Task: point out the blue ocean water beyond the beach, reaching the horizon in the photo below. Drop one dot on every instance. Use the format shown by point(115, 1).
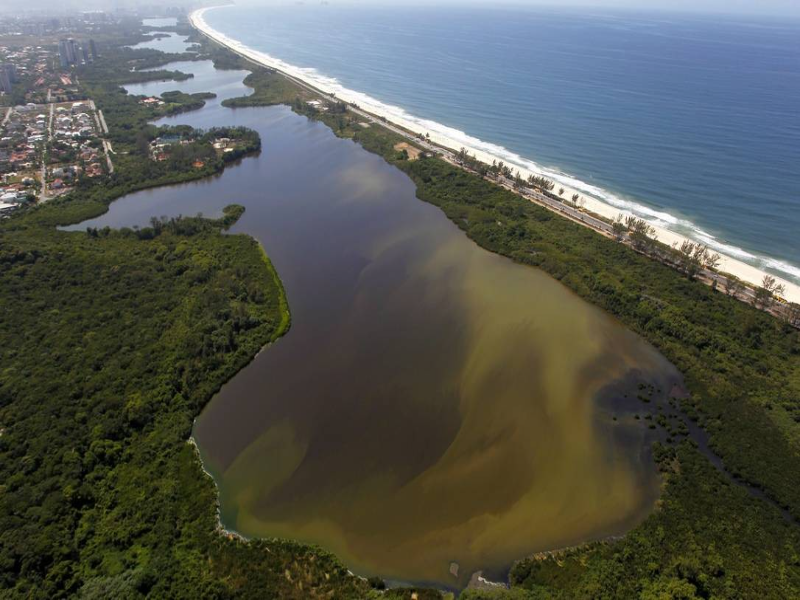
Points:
point(691, 121)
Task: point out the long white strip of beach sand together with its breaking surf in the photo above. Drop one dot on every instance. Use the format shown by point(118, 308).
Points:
point(609, 206)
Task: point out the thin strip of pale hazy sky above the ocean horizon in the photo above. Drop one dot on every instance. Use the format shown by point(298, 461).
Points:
point(755, 7)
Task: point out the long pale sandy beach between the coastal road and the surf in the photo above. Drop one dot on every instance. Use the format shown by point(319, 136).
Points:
point(481, 150)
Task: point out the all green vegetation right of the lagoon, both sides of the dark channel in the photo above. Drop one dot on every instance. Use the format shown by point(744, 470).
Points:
point(709, 537)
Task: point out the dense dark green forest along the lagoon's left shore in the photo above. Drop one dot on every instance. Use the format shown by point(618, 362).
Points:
point(112, 342)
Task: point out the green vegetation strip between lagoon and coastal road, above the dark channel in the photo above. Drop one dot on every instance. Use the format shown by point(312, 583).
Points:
point(740, 364)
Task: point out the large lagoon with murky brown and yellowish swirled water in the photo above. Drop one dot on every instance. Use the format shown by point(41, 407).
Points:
point(433, 403)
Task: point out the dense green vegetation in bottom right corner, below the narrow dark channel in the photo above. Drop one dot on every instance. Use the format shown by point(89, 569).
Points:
point(709, 539)
